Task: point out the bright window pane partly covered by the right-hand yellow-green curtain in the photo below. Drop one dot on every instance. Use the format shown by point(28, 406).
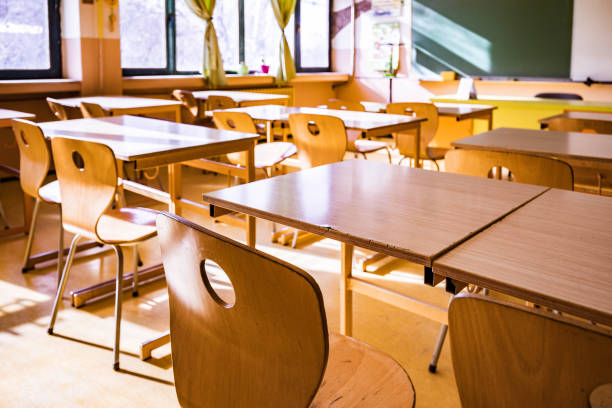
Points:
point(262, 35)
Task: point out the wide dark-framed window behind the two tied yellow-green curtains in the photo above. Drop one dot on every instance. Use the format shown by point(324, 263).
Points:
point(248, 34)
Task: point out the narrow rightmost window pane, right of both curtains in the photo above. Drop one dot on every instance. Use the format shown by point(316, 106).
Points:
point(314, 33)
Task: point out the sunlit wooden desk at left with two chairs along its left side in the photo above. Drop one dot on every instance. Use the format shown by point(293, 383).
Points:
point(144, 143)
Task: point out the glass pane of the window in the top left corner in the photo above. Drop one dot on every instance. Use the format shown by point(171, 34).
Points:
point(24, 34)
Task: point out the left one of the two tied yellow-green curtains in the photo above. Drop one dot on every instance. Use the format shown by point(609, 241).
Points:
point(212, 64)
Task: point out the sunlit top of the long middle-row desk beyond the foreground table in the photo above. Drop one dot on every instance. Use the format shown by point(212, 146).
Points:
point(365, 121)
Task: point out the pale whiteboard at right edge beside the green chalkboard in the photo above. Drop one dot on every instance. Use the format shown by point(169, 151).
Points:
point(592, 40)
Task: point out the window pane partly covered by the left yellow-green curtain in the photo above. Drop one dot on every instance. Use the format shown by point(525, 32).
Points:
point(190, 35)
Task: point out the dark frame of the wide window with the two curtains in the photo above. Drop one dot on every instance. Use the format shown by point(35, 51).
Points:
point(170, 68)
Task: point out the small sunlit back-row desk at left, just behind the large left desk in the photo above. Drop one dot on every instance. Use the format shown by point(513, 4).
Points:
point(128, 105)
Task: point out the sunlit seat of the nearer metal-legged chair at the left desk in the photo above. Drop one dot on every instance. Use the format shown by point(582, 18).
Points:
point(127, 225)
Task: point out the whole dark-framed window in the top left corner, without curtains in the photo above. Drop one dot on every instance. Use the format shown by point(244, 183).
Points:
point(30, 44)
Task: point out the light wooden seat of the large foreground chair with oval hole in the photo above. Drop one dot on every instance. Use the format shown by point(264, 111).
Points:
point(358, 375)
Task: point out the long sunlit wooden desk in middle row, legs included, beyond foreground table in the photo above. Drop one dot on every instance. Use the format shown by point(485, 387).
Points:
point(369, 124)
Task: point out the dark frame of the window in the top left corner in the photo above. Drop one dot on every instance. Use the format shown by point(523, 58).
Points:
point(55, 51)
